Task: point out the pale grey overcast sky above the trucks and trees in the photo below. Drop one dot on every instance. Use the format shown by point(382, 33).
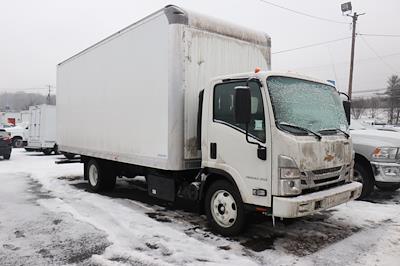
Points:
point(35, 35)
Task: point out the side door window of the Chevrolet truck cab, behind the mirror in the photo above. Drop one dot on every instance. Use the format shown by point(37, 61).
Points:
point(224, 109)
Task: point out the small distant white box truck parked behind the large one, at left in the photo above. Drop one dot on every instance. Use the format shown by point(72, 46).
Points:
point(42, 129)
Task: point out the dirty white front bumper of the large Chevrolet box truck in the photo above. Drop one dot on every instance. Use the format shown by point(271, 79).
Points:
point(292, 207)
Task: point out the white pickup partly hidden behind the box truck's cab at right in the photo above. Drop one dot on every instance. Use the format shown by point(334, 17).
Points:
point(377, 158)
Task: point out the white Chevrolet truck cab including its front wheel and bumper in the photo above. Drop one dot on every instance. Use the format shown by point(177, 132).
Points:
point(282, 142)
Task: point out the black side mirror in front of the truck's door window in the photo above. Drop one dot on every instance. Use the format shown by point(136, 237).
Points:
point(242, 105)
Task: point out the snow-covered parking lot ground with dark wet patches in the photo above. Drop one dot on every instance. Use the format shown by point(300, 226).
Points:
point(48, 216)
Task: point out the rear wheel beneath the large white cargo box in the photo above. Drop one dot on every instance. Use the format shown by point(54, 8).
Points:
point(100, 177)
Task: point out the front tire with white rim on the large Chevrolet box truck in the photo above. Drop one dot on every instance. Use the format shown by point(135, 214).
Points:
point(222, 197)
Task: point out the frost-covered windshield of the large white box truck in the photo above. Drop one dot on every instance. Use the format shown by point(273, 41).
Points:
point(307, 104)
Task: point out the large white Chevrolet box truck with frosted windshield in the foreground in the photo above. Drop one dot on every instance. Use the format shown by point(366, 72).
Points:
point(256, 141)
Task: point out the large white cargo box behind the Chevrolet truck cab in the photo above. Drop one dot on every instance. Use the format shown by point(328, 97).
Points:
point(133, 97)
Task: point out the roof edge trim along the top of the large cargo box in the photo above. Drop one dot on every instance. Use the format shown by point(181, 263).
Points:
point(177, 15)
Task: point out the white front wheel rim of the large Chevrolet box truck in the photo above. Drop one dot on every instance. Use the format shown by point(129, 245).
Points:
point(223, 208)
